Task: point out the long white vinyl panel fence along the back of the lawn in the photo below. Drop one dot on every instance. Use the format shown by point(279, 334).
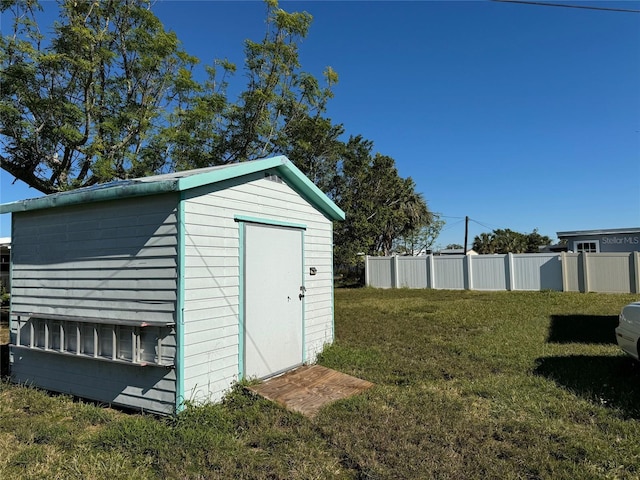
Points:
point(569, 272)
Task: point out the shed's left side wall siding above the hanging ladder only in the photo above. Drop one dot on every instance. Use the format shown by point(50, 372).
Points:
point(115, 260)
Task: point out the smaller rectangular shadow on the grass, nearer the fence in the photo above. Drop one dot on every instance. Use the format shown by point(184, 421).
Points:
point(583, 329)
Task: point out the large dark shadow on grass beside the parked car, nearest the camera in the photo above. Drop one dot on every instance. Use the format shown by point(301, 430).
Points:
point(612, 382)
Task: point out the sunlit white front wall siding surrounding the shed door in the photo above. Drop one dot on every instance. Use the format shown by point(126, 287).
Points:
point(212, 277)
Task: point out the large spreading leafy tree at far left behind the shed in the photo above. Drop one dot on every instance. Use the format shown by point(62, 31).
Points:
point(79, 108)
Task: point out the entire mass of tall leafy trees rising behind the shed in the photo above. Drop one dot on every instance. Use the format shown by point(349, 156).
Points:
point(112, 95)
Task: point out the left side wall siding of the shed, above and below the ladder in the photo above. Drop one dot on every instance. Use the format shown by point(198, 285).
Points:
point(114, 260)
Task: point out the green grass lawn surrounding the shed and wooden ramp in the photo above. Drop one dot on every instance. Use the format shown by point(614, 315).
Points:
point(491, 385)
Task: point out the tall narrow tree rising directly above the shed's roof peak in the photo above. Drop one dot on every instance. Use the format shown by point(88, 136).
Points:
point(280, 101)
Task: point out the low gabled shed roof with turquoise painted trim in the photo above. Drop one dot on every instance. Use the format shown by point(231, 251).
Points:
point(181, 181)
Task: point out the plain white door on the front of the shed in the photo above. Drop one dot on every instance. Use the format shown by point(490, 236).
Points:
point(273, 309)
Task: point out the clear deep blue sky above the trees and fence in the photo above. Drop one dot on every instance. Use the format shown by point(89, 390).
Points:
point(518, 116)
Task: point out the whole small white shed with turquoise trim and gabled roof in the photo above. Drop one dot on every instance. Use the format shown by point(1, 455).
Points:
point(151, 292)
